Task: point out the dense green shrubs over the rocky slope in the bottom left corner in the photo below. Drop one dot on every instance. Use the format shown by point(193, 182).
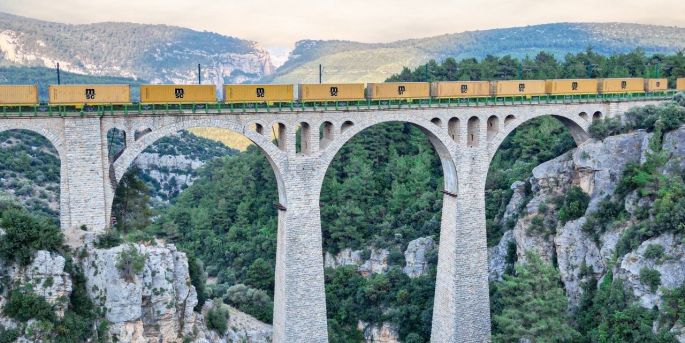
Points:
point(24, 235)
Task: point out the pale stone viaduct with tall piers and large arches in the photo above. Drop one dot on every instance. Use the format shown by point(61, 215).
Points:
point(466, 139)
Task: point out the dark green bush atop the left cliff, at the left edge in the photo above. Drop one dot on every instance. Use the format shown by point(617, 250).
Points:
point(25, 234)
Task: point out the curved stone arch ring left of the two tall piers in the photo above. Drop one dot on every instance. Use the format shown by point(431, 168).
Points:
point(272, 153)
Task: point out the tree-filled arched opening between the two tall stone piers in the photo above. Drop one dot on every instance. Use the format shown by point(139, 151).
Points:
point(381, 215)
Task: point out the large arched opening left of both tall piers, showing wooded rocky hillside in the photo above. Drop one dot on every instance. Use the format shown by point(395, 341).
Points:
point(227, 216)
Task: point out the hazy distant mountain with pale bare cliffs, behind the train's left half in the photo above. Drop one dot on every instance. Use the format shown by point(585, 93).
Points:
point(158, 53)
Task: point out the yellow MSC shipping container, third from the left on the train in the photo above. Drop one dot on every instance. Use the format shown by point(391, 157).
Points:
point(166, 94)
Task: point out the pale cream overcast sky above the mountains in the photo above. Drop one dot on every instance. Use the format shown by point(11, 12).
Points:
point(283, 22)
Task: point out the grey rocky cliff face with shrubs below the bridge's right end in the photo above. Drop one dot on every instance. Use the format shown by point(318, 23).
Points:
point(596, 168)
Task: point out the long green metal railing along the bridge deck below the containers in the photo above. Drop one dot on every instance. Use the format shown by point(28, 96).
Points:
point(261, 107)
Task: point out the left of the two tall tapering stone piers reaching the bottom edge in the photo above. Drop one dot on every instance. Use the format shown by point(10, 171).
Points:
point(299, 297)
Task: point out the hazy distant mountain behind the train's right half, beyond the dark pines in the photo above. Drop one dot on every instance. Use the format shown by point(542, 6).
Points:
point(345, 61)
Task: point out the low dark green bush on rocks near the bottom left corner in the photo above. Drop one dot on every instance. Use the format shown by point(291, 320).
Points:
point(23, 307)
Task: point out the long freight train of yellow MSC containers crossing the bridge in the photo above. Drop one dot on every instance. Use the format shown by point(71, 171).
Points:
point(244, 96)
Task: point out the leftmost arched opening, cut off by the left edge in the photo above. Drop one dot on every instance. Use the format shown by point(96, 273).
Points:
point(30, 174)
